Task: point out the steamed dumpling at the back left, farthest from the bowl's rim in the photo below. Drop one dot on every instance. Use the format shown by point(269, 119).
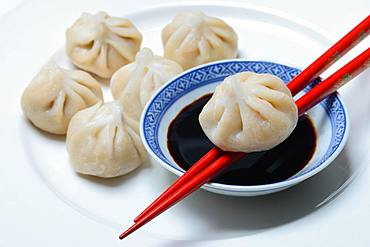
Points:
point(102, 44)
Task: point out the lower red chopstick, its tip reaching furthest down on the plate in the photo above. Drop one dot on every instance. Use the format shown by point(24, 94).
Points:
point(338, 79)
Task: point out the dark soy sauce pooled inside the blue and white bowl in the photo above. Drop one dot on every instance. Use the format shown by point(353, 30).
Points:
point(187, 144)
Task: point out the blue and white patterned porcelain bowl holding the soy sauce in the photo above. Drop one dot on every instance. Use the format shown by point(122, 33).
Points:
point(330, 118)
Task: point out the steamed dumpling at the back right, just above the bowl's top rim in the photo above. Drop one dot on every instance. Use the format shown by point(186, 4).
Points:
point(194, 38)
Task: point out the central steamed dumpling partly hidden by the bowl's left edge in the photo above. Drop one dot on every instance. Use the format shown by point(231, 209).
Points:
point(134, 84)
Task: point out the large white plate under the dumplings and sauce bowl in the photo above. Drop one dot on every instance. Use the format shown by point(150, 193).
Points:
point(36, 164)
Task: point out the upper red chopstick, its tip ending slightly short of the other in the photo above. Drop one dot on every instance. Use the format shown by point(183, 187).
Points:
point(295, 86)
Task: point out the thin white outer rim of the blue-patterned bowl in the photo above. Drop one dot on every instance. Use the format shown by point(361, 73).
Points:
point(245, 188)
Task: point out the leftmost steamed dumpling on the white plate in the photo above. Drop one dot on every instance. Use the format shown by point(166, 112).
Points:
point(56, 94)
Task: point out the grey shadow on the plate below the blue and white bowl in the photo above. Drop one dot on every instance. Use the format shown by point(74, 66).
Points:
point(248, 215)
